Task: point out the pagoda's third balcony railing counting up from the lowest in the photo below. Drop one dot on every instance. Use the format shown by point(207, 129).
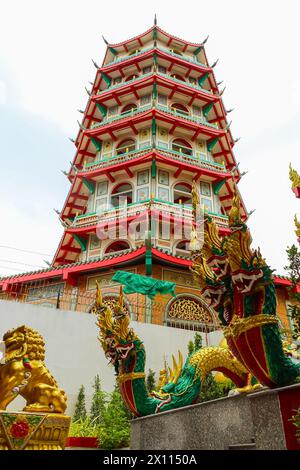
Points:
point(153, 105)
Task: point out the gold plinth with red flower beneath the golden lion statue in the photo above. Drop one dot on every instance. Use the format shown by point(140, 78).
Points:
point(33, 431)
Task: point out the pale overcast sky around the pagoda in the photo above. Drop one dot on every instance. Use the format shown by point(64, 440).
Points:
point(45, 63)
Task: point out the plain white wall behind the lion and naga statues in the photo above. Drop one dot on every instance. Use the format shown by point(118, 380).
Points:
point(73, 353)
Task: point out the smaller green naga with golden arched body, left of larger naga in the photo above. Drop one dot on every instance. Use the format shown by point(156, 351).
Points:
point(126, 352)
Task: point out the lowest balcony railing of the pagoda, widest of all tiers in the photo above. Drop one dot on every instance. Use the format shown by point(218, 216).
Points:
point(156, 206)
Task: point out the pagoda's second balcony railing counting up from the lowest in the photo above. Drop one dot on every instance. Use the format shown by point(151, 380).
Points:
point(170, 153)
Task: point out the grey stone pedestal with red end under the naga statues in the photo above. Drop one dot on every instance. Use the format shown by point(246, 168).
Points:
point(260, 420)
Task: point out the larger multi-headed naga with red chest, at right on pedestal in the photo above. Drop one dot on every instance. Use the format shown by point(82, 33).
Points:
point(236, 281)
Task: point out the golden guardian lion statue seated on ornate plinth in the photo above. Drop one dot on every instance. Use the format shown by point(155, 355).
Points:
point(23, 372)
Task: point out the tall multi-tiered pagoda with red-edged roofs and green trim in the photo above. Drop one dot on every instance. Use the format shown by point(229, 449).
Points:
point(154, 126)
